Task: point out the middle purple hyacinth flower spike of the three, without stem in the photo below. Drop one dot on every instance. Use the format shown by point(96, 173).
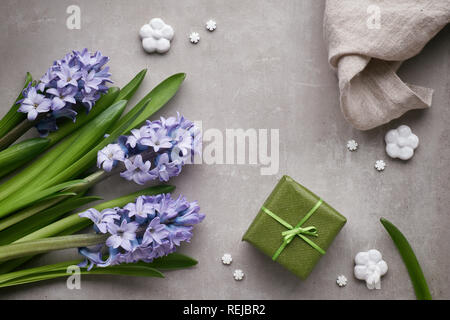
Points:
point(157, 150)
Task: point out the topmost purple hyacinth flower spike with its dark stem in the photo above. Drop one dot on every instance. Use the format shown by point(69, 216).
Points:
point(78, 79)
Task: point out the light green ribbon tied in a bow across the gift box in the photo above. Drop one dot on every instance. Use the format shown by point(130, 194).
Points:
point(290, 234)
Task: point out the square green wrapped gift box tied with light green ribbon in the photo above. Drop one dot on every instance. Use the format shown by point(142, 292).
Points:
point(294, 227)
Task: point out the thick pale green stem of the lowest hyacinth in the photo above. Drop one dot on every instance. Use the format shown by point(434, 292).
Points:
point(26, 248)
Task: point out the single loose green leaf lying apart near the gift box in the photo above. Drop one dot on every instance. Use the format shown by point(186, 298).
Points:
point(409, 258)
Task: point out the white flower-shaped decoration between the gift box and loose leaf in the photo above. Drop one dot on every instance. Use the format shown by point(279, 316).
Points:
point(370, 267)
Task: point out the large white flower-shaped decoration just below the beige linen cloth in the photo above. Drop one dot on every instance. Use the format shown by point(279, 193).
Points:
point(401, 143)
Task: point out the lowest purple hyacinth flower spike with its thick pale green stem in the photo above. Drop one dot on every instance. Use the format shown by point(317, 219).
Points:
point(149, 228)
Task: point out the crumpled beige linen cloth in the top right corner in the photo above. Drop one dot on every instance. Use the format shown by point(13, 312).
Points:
point(367, 52)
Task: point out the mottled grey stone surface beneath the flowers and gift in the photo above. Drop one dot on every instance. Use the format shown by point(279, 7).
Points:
point(264, 67)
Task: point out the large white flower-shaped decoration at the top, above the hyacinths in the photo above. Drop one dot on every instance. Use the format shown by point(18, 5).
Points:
point(156, 36)
